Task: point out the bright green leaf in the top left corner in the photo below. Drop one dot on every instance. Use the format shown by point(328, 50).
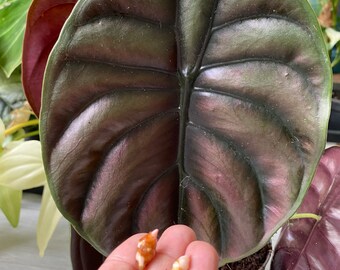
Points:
point(12, 26)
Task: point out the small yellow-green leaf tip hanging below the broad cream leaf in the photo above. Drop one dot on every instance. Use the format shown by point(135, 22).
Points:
point(10, 204)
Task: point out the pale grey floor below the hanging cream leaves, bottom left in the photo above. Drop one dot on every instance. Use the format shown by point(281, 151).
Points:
point(18, 247)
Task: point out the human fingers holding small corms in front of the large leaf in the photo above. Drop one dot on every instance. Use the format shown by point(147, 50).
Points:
point(176, 241)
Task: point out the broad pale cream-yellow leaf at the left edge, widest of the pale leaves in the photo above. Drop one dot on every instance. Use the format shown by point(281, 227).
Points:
point(21, 167)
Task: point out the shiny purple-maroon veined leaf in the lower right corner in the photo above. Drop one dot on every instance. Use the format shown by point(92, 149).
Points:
point(307, 243)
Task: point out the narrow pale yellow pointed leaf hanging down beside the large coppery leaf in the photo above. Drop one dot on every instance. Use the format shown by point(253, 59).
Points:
point(49, 216)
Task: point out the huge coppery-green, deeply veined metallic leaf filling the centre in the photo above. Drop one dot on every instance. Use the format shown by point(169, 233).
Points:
point(208, 113)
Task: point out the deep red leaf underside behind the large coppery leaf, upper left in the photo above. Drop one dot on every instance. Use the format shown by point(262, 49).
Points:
point(44, 21)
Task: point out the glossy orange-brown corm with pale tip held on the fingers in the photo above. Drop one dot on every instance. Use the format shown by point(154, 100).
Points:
point(146, 249)
